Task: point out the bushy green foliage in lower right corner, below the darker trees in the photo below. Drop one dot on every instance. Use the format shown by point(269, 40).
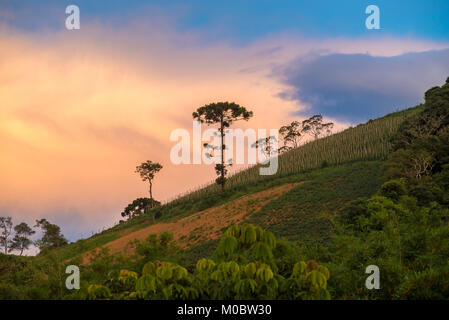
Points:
point(407, 242)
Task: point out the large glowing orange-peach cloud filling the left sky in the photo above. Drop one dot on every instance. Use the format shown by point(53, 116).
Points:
point(78, 114)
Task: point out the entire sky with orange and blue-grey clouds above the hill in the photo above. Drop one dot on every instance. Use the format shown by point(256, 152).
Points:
point(79, 109)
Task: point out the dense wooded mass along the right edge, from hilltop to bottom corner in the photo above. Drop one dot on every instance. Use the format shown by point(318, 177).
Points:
point(404, 229)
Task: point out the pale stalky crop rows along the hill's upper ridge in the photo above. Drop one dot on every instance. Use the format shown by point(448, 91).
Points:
point(369, 141)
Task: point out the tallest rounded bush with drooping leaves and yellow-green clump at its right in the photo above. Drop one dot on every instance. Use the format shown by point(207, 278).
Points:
point(249, 269)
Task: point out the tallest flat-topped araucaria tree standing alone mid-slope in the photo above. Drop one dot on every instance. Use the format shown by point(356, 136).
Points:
point(223, 114)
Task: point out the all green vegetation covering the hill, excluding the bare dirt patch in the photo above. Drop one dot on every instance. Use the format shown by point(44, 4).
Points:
point(378, 196)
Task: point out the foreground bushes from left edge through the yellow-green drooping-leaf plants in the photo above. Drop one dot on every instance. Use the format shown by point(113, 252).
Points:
point(248, 263)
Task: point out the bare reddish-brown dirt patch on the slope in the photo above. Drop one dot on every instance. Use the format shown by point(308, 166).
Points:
point(204, 225)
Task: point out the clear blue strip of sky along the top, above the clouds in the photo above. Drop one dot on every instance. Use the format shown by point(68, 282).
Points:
point(243, 21)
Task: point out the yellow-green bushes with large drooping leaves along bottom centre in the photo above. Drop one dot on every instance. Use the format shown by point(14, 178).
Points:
point(243, 267)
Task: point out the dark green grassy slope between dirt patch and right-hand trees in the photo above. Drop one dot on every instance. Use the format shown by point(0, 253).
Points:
point(298, 214)
